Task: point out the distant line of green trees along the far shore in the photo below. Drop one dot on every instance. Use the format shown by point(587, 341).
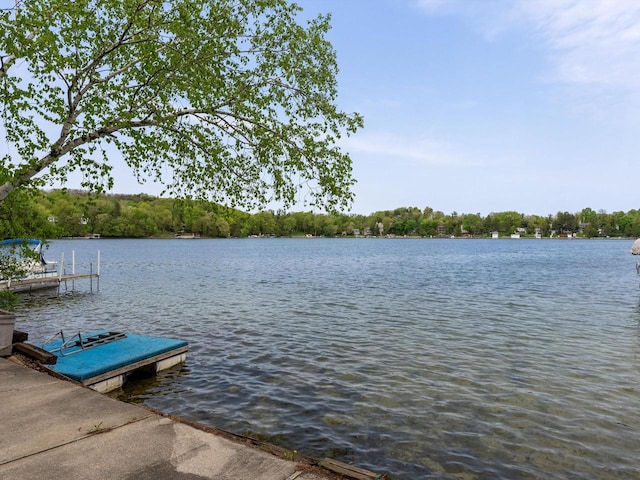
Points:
point(62, 213)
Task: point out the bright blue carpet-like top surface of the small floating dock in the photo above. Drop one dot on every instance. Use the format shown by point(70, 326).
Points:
point(111, 356)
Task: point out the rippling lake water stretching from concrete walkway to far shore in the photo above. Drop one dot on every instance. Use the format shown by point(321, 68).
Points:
point(421, 358)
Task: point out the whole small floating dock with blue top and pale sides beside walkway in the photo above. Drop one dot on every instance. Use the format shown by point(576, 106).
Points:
point(102, 360)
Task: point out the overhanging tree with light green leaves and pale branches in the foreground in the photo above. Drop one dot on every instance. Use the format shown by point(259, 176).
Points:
point(229, 100)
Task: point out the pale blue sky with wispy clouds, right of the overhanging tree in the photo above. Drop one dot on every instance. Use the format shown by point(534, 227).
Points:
point(490, 105)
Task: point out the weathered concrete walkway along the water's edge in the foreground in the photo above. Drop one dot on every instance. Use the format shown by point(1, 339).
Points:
point(54, 429)
